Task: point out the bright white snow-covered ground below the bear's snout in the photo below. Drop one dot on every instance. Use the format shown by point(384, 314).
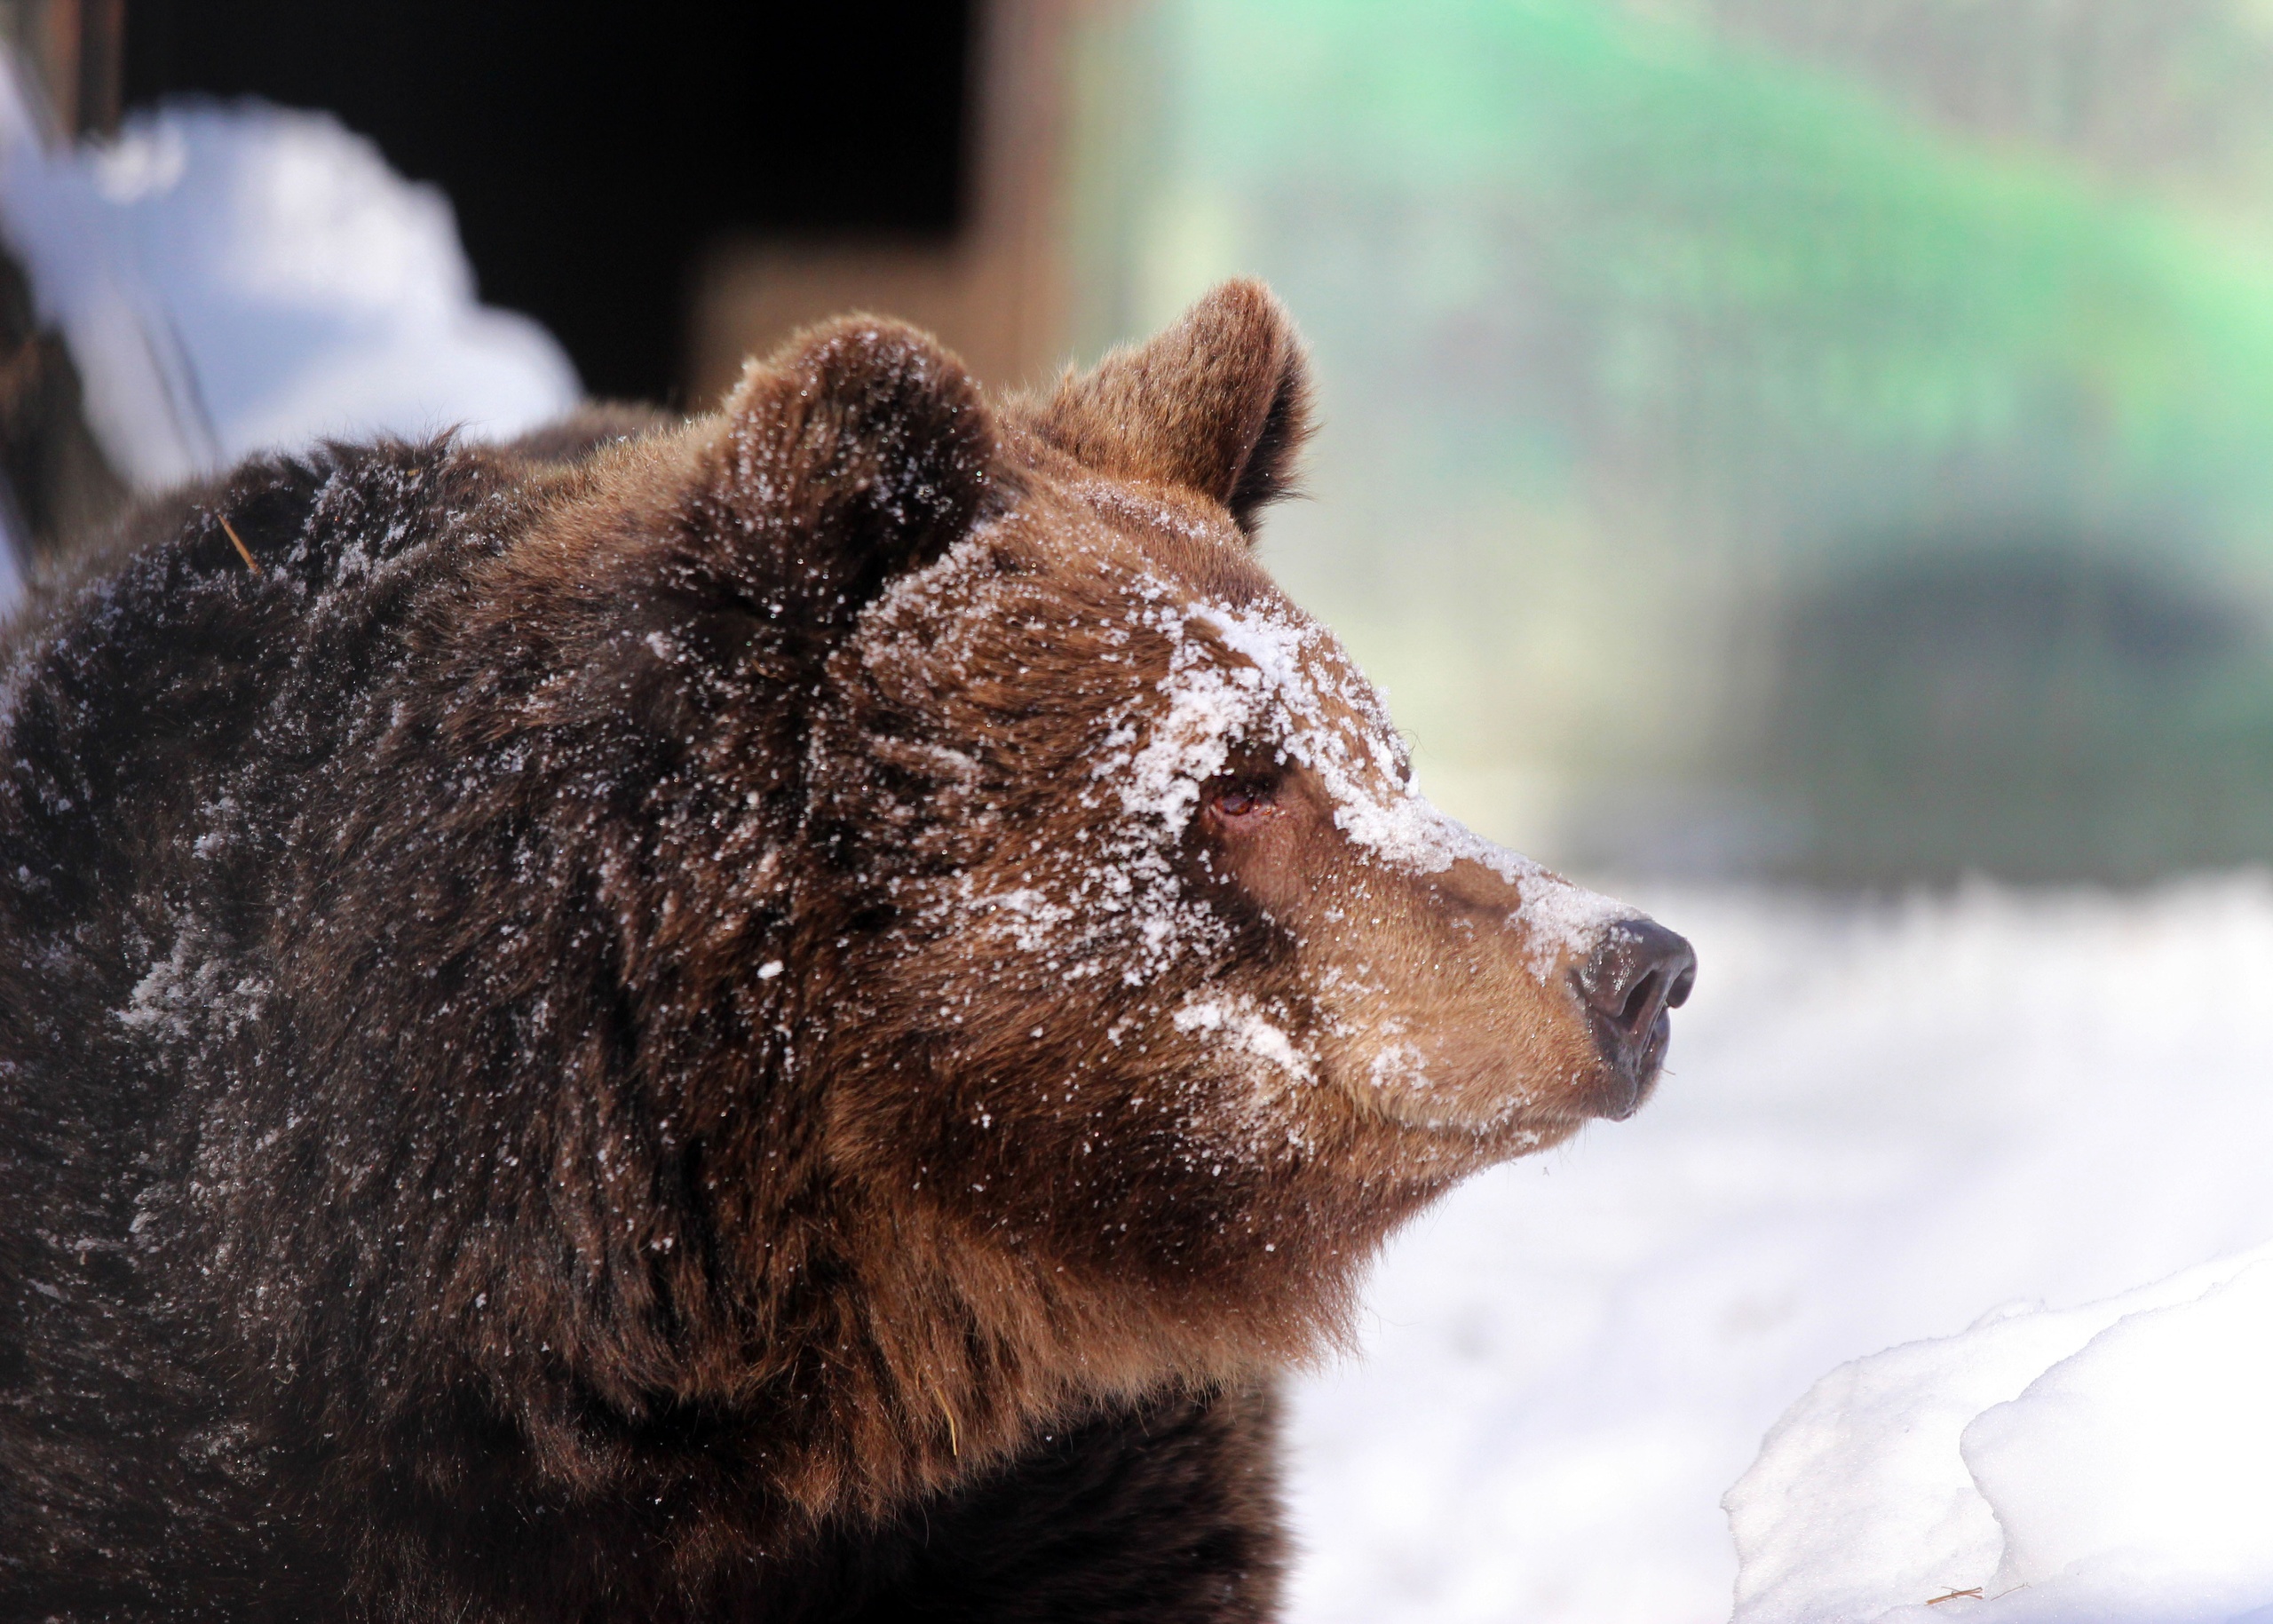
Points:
point(1881, 1127)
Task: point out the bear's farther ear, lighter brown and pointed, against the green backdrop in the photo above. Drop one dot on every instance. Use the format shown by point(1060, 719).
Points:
point(1217, 404)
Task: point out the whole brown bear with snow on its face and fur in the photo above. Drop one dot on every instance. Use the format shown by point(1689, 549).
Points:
point(772, 1018)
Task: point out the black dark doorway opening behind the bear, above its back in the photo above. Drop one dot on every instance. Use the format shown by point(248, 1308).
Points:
point(594, 149)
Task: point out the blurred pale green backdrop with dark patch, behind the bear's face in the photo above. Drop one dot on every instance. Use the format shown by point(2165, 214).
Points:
point(1763, 438)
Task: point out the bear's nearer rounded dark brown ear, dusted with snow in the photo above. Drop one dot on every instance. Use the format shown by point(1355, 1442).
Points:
point(858, 451)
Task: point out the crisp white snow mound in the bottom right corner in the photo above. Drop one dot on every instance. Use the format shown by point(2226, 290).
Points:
point(2095, 1464)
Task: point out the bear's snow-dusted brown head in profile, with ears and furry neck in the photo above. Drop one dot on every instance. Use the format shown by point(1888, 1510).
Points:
point(1031, 934)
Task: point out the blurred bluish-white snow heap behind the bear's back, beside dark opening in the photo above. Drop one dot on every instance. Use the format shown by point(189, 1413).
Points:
point(247, 279)
